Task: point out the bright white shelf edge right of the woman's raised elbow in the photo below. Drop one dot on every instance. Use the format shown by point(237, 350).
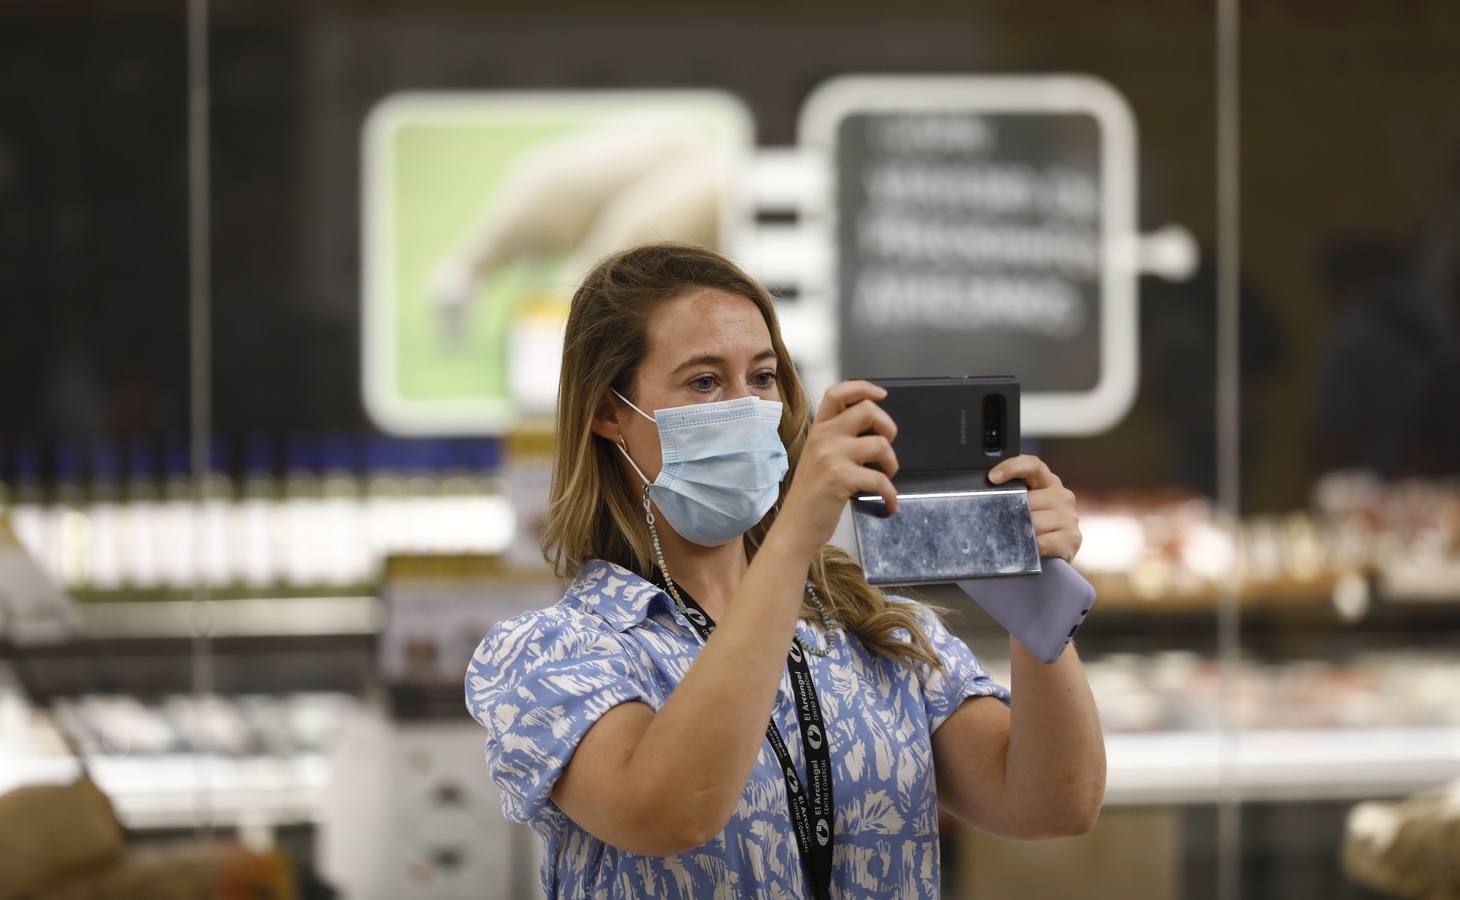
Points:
point(1271, 766)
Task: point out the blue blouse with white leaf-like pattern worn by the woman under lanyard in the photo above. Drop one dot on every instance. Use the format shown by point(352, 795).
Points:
point(542, 679)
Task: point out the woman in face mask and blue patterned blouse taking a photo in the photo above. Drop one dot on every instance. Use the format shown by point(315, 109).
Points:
point(693, 500)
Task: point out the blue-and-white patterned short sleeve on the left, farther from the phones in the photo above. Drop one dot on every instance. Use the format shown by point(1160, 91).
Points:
point(538, 683)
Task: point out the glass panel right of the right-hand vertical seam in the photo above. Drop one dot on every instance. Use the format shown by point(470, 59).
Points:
point(1351, 442)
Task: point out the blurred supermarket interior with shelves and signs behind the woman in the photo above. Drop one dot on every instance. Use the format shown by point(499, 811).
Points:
point(243, 604)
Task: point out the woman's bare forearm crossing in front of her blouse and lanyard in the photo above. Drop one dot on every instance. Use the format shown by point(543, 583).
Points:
point(706, 739)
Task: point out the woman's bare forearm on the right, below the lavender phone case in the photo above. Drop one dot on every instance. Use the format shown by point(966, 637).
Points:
point(1056, 760)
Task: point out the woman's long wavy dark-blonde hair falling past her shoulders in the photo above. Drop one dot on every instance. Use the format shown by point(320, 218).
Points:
point(593, 514)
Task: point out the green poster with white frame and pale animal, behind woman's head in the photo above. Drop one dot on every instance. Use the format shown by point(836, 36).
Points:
point(481, 214)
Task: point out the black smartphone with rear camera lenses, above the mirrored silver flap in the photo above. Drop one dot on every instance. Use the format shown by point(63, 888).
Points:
point(953, 424)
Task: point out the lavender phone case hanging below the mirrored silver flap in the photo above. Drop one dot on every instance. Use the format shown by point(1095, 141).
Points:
point(1042, 611)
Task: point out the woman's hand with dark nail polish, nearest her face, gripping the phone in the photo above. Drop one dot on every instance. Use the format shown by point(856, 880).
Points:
point(831, 468)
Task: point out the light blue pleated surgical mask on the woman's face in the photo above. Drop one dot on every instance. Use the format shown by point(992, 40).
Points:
point(722, 467)
